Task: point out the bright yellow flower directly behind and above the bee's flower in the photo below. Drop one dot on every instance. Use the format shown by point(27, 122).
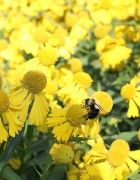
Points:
point(73, 86)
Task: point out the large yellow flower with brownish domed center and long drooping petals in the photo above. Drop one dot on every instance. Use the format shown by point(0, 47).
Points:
point(29, 92)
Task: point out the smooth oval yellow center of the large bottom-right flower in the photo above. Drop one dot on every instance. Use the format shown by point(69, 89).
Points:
point(118, 152)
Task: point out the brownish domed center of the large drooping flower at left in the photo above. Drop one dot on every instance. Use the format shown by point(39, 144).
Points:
point(34, 81)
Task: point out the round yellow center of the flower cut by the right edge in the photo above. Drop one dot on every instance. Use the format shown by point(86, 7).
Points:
point(128, 91)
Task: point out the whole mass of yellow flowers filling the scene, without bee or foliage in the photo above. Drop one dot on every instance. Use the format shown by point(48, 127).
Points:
point(43, 82)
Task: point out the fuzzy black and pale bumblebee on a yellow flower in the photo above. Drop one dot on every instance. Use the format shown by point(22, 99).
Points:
point(93, 109)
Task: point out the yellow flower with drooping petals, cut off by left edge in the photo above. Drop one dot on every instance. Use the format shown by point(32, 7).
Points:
point(9, 122)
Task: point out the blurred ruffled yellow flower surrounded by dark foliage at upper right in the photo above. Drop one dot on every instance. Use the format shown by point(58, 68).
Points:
point(113, 52)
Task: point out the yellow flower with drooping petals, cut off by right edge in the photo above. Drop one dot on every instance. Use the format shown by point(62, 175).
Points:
point(131, 92)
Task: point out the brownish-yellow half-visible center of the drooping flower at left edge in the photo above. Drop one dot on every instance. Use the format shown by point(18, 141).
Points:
point(4, 102)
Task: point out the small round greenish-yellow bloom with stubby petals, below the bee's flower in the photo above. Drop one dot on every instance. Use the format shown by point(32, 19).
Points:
point(62, 153)
